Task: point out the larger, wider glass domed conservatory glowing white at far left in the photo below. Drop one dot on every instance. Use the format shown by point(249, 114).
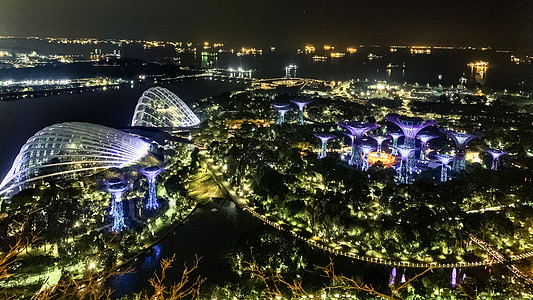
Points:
point(68, 150)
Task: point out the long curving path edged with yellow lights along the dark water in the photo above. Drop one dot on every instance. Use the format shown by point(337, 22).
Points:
point(315, 242)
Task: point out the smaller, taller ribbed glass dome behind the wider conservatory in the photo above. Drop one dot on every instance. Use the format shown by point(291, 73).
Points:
point(159, 107)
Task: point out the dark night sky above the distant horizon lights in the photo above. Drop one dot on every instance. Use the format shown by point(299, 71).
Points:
point(278, 22)
